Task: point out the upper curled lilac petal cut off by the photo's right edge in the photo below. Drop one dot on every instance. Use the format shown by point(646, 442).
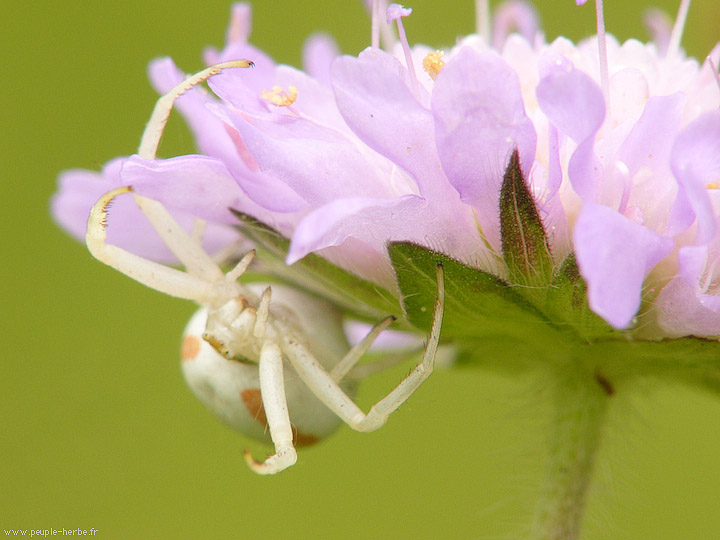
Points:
point(695, 161)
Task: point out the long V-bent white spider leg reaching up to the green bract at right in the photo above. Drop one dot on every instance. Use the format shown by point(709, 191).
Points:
point(327, 390)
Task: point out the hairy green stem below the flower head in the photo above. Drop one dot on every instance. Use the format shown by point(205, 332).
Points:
point(580, 404)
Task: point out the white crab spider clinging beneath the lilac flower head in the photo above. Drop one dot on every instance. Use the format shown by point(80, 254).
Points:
point(288, 348)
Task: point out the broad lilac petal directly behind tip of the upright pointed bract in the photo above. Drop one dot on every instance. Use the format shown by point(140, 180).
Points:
point(479, 121)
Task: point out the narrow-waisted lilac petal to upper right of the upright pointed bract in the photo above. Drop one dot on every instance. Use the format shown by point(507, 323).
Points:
point(574, 104)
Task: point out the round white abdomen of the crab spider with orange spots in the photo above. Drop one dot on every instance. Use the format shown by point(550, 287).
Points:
point(231, 388)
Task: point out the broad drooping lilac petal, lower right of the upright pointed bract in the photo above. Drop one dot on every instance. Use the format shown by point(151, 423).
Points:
point(614, 256)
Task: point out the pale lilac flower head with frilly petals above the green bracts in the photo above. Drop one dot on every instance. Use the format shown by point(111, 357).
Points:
point(617, 145)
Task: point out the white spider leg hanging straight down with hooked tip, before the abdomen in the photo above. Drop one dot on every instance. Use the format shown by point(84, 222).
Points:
point(272, 389)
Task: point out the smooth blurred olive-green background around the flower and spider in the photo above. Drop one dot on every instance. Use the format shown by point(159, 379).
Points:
point(97, 428)
